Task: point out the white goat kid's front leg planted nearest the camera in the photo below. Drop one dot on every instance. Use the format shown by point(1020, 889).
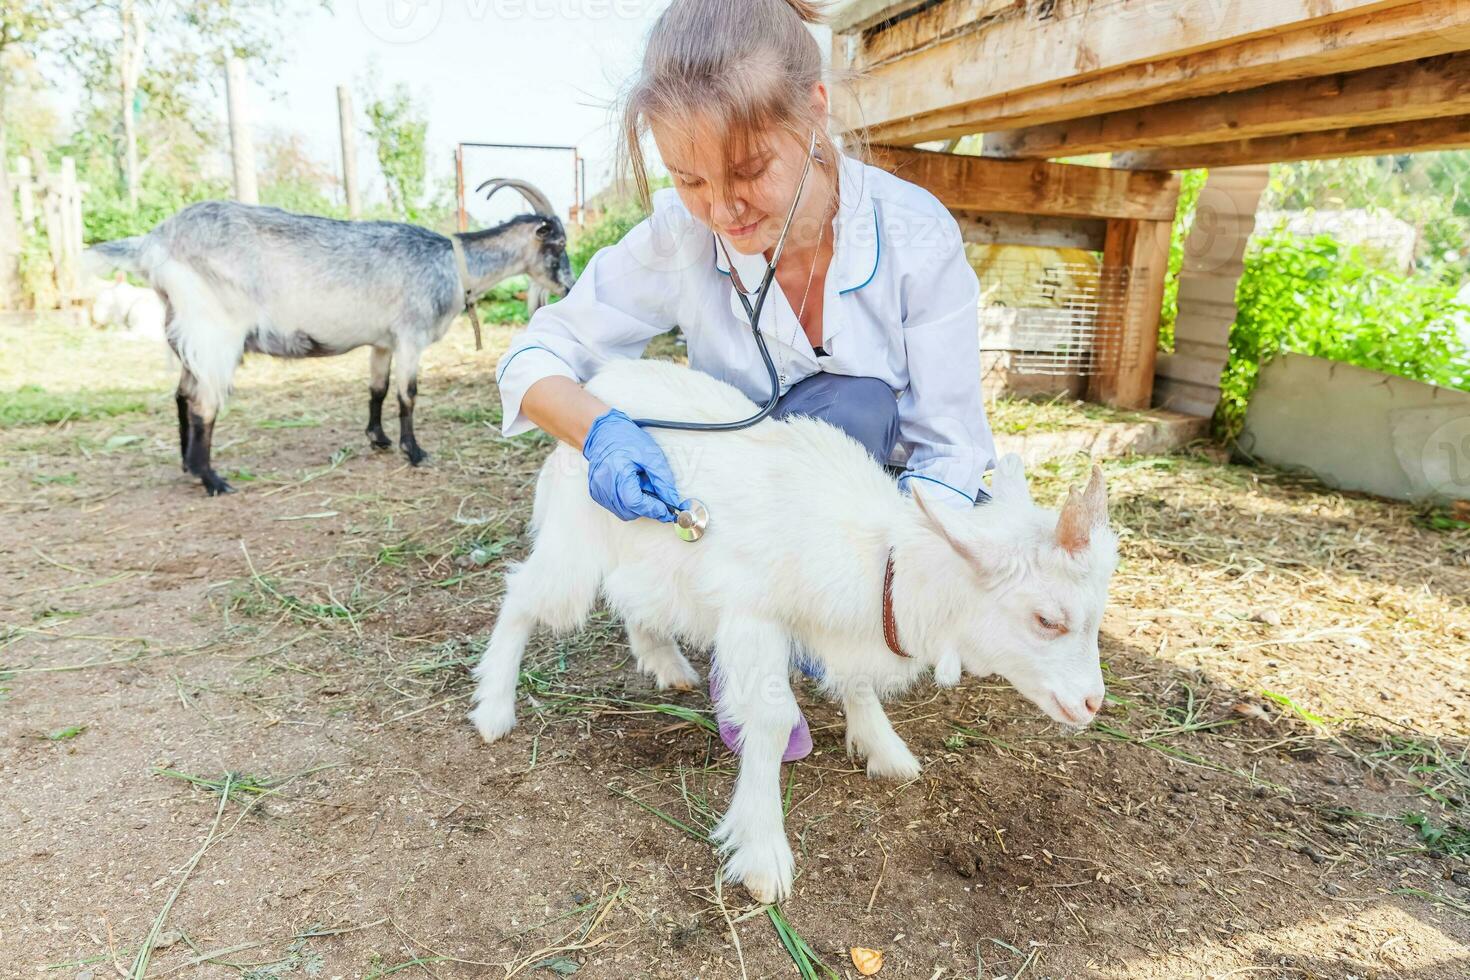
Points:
point(752, 657)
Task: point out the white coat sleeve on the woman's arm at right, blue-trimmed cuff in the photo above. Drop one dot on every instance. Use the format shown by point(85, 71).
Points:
point(942, 415)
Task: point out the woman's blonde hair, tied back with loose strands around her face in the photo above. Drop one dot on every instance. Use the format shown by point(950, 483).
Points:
point(745, 67)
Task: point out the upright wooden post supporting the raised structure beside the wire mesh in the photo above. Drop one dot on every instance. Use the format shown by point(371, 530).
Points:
point(1125, 377)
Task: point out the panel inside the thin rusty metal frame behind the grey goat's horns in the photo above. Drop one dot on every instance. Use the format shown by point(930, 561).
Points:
point(552, 170)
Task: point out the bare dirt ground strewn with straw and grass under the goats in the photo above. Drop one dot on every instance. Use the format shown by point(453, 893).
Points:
point(1278, 787)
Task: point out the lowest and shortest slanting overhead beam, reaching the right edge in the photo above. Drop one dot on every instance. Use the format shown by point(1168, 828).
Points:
point(1422, 136)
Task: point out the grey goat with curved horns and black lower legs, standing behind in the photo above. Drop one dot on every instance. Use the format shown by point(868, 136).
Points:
point(240, 278)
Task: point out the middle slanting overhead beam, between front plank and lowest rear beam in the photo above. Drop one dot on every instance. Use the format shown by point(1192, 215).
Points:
point(1396, 93)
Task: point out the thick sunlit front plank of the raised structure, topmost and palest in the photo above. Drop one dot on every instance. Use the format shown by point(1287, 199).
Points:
point(1008, 74)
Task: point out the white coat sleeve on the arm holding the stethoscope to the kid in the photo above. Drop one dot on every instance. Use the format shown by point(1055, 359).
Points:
point(627, 296)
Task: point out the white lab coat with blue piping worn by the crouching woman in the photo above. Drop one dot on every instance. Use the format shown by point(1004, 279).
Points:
point(900, 305)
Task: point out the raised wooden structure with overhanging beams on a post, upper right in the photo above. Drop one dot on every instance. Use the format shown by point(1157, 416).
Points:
point(1159, 87)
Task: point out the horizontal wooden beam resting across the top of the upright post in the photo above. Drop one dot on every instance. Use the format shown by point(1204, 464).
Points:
point(1030, 187)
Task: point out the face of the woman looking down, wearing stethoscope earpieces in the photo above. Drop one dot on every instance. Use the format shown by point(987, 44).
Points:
point(761, 189)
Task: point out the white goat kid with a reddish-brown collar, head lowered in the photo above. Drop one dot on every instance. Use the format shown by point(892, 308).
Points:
point(803, 527)
